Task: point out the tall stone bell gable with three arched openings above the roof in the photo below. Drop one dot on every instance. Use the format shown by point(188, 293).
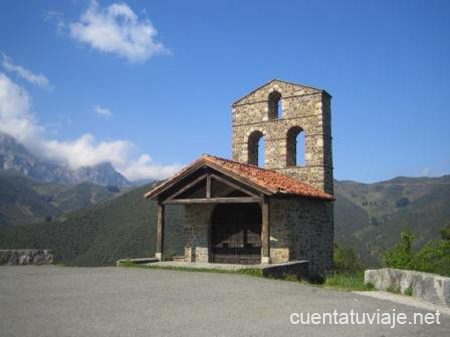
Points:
point(303, 107)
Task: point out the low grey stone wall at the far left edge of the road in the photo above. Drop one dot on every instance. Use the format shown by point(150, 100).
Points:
point(25, 256)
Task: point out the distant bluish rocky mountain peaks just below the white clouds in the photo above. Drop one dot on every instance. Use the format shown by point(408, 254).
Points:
point(15, 157)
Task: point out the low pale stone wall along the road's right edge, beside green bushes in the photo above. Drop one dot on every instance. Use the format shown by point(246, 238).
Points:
point(429, 287)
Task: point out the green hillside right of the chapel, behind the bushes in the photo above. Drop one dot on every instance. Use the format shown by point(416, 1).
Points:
point(370, 217)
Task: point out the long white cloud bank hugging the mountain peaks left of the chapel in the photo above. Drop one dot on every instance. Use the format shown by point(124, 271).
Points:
point(18, 120)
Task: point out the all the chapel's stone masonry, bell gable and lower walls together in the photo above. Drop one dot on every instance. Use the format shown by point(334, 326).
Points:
point(301, 229)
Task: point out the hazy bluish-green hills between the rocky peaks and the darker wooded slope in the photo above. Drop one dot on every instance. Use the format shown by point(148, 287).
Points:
point(24, 201)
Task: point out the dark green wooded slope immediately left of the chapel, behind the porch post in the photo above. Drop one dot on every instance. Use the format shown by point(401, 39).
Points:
point(123, 227)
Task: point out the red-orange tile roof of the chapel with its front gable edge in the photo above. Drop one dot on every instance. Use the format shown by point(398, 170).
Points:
point(267, 179)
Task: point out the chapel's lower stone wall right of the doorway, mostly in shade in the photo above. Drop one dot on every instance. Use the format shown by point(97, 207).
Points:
point(305, 228)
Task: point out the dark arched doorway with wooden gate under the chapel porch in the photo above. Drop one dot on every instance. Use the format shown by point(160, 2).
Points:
point(236, 234)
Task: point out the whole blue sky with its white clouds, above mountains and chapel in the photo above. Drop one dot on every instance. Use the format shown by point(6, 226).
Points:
point(167, 93)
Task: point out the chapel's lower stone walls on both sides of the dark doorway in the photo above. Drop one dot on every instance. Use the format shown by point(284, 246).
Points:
point(300, 230)
